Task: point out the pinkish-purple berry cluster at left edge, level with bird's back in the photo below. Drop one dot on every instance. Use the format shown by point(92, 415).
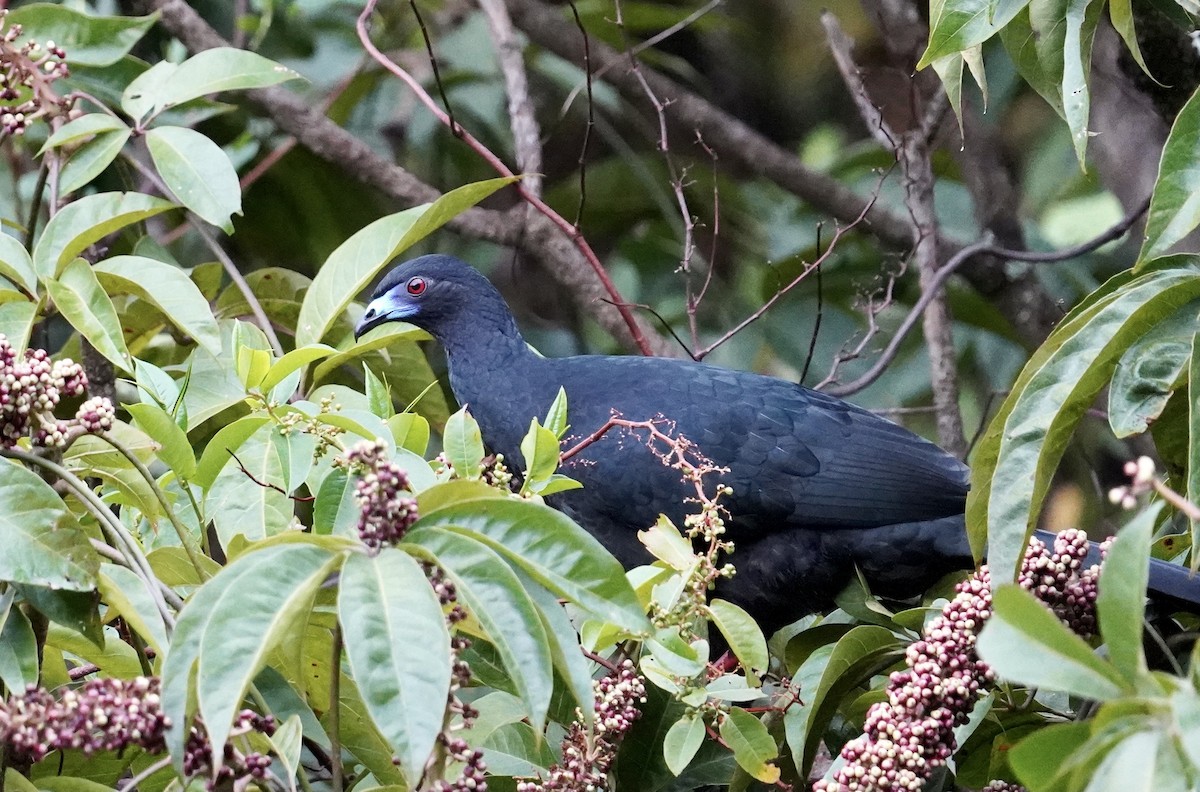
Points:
point(32, 387)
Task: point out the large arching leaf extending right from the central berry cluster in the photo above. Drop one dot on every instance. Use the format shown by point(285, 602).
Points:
point(553, 549)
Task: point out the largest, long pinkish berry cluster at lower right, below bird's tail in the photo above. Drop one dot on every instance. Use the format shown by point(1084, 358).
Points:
point(910, 735)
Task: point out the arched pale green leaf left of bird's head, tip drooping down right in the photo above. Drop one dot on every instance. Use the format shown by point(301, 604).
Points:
point(167, 289)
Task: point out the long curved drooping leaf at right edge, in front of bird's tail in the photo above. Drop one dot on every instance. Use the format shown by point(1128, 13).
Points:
point(1022, 448)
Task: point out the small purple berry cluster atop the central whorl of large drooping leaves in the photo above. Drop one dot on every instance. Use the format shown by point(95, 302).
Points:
point(383, 495)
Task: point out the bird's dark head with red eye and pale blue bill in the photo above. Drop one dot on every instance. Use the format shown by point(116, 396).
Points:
point(440, 295)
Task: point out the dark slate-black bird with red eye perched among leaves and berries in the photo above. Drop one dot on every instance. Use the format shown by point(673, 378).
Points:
point(819, 490)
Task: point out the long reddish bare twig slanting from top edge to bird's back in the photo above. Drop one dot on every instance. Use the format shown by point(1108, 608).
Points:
point(489, 157)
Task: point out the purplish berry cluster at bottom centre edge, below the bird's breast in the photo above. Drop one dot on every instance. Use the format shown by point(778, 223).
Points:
point(587, 757)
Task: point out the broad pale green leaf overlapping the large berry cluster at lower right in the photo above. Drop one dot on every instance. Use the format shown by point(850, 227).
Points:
point(1025, 643)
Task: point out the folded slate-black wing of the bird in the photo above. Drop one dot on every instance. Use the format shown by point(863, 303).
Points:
point(795, 457)
